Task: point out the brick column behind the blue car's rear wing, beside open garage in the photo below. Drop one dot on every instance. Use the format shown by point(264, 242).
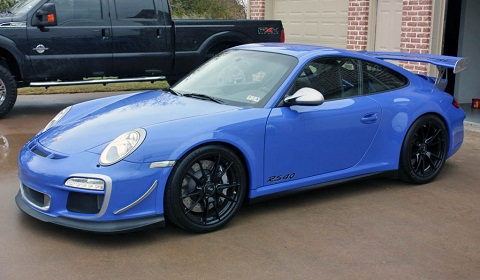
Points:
point(415, 36)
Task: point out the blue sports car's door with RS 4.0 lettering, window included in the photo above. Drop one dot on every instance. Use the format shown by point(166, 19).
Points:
point(305, 141)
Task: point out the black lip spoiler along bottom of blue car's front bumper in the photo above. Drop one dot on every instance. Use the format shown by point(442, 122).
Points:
point(93, 226)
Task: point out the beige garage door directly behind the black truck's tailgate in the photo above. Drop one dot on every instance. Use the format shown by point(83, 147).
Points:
point(319, 22)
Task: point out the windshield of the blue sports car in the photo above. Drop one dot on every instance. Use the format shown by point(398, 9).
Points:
point(239, 77)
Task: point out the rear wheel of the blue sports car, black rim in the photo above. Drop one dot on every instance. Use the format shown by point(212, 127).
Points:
point(424, 150)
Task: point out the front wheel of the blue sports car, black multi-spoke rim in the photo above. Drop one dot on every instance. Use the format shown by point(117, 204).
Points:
point(206, 189)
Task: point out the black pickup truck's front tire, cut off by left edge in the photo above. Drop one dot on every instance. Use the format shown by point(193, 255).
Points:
point(8, 91)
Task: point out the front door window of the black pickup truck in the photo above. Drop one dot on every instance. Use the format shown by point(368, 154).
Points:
point(69, 11)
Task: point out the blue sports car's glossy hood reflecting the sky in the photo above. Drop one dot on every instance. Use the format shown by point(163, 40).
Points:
point(84, 128)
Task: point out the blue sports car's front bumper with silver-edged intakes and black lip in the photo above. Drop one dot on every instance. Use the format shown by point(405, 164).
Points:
point(132, 196)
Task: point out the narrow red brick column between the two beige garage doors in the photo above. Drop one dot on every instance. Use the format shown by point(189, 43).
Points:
point(357, 24)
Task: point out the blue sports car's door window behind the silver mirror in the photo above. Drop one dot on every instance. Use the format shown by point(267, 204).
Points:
point(334, 77)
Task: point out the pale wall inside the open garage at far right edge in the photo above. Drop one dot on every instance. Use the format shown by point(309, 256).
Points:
point(467, 83)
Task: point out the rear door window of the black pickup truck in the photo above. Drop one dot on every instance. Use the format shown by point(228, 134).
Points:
point(134, 10)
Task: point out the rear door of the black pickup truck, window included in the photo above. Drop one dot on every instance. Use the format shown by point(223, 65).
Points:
point(140, 38)
